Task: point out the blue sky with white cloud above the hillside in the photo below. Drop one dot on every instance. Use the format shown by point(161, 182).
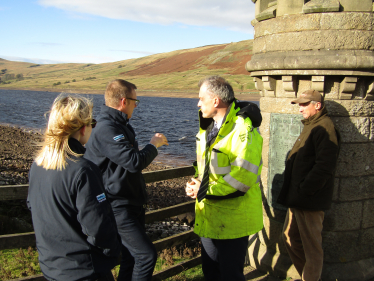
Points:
point(101, 31)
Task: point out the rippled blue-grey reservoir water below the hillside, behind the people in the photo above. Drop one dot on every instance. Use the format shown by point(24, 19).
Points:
point(177, 118)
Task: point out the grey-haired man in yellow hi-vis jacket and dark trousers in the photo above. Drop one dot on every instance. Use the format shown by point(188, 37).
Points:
point(228, 196)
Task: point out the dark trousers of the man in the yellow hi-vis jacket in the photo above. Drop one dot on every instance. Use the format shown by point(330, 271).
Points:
point(223, 260)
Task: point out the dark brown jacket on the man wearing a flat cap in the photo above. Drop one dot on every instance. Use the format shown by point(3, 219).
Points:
point(310, 167)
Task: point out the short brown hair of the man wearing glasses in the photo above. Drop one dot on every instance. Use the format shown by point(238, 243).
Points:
point(117, 90)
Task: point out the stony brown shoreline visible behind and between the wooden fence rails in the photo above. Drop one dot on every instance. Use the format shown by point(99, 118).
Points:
point(17, 149)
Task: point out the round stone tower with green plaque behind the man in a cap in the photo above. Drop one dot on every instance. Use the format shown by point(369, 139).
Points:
point(326, 45)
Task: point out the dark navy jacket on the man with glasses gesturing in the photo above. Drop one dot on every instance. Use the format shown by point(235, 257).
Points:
point(114, 148)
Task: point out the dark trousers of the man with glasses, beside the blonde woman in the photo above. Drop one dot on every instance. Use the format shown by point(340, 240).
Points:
point(139, 255)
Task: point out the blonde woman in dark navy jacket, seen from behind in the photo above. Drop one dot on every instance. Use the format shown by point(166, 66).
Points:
point(75, 229)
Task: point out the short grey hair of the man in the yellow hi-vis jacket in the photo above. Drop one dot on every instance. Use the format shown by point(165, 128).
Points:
point(218, 87)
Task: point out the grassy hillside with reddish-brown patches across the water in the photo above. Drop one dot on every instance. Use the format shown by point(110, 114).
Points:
point(177, 71)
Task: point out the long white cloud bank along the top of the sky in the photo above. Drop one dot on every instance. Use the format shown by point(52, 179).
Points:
point(234, 14)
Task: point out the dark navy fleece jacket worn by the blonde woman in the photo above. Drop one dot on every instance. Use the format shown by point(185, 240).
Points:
point(75, 229)
